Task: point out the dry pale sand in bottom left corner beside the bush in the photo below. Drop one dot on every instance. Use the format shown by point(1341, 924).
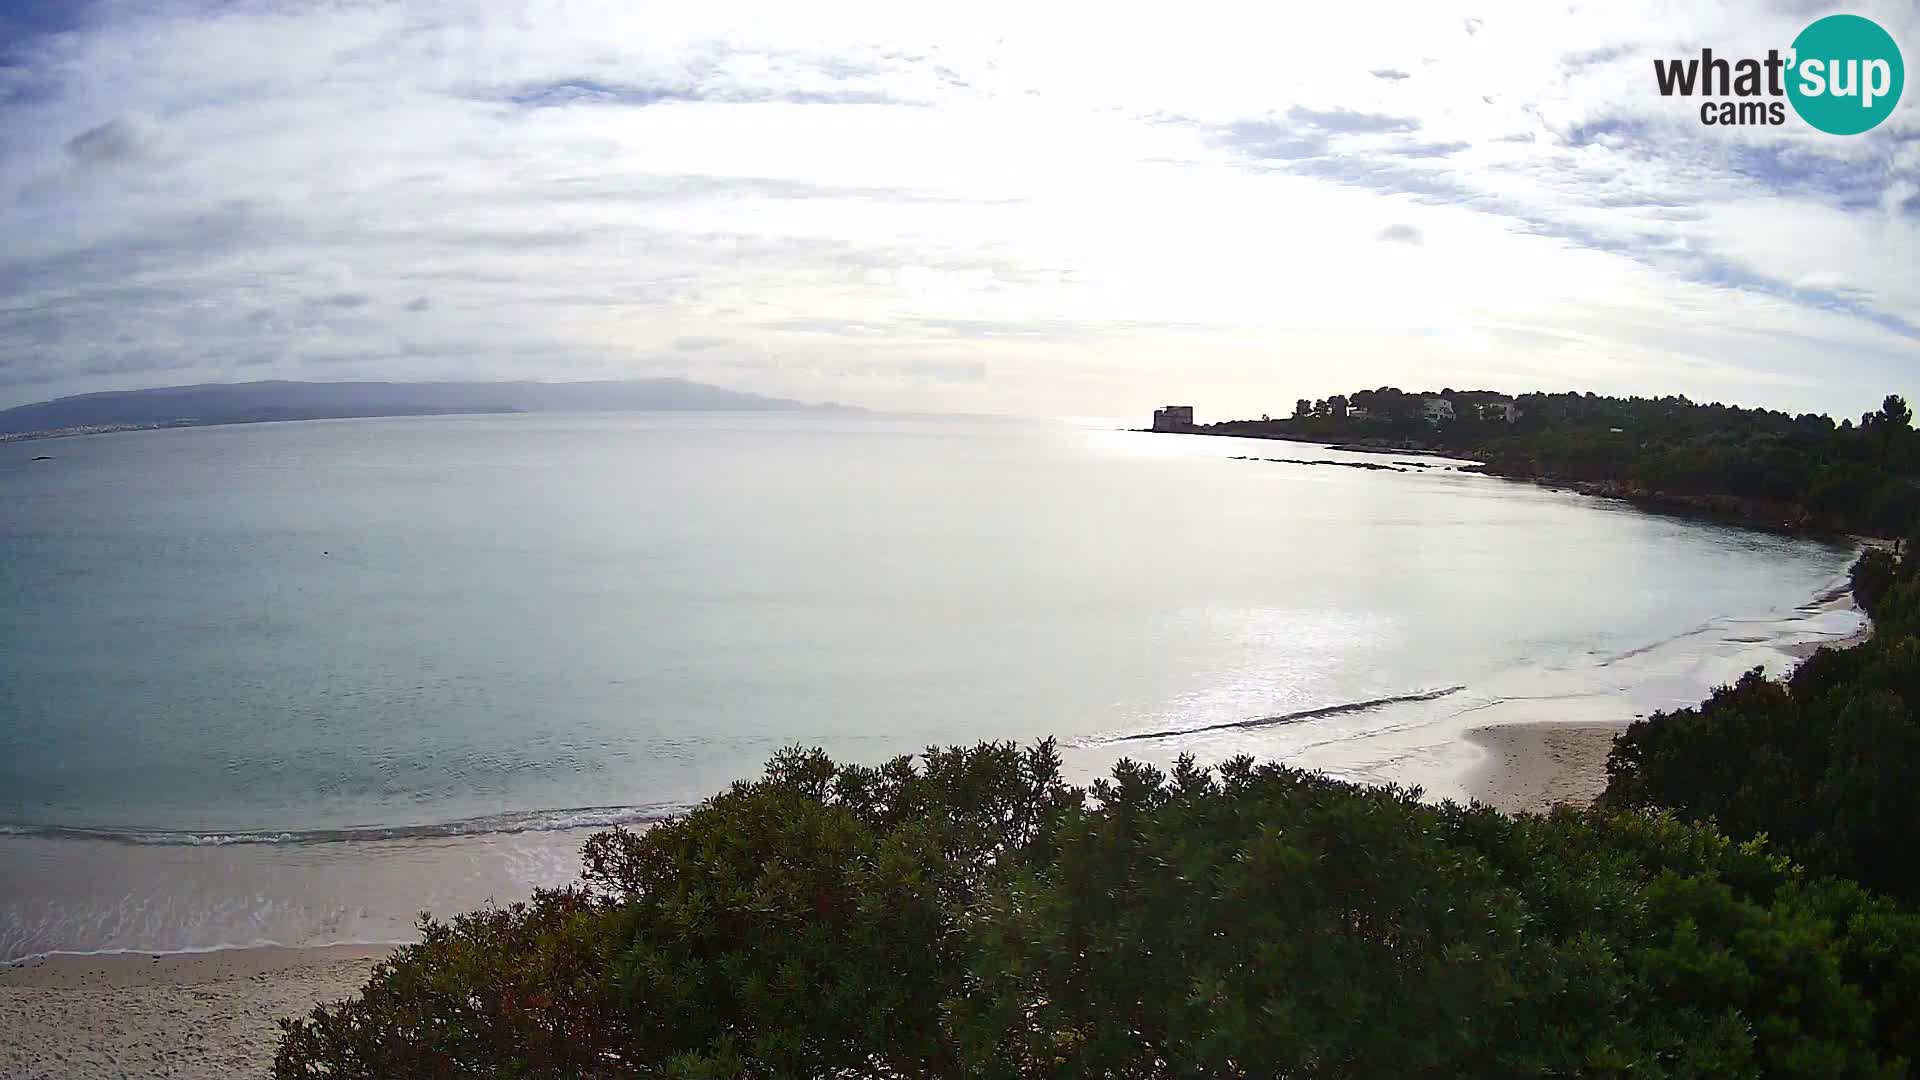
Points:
point(185, 1016)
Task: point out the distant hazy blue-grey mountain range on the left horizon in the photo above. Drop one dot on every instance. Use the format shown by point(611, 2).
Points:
point(254, 403)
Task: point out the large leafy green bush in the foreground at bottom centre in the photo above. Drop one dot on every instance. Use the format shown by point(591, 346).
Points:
point(978, 918)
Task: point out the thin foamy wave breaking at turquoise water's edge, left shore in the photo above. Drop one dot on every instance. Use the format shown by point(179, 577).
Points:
point(489, 825)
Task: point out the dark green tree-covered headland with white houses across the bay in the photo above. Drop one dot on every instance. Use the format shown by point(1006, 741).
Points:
point(1756, 466)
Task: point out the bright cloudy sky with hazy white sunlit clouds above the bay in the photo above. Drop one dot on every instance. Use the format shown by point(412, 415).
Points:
point(1013, 209)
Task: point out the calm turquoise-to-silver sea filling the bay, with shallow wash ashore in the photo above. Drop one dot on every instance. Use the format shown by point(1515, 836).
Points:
point(297, 683)
